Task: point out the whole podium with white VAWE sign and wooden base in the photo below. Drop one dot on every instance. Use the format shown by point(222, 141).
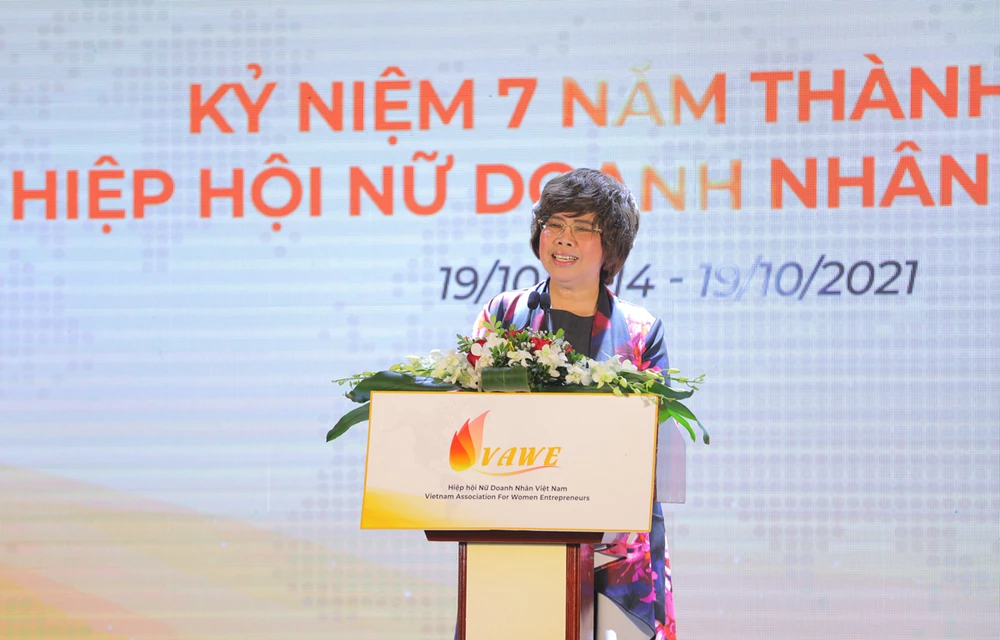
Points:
point(521, 483)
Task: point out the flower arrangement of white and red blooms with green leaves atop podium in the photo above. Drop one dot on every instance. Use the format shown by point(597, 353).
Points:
point(521, 360)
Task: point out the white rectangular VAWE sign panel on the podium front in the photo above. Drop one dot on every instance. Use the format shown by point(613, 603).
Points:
point(504, 461)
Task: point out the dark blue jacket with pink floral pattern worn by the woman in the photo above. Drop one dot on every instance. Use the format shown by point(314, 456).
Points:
point(636, 576)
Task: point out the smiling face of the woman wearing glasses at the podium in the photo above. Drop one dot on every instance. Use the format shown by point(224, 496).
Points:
point(571, 256)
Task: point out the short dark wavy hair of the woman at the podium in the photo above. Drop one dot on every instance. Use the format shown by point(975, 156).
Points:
point(584, 191)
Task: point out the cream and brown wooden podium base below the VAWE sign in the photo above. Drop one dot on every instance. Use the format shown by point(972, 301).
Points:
point(537, 585)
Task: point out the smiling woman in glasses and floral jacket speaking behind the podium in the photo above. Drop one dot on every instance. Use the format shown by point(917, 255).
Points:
point(582, 229)
